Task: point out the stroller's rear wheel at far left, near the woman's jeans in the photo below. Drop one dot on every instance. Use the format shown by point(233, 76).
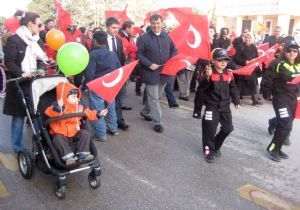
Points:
point(25, 162)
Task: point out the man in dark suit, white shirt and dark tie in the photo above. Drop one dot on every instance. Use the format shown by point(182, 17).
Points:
point(115, 44)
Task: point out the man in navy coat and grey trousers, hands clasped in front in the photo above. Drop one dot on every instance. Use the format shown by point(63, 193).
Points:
point(154, 49)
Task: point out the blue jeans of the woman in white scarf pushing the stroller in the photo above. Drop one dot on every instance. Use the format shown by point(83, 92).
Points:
point(17, 124)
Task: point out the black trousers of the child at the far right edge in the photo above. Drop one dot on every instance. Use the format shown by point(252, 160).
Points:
point(285, 109)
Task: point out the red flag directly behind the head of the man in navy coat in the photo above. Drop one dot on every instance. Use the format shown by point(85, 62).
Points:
point(181, 14)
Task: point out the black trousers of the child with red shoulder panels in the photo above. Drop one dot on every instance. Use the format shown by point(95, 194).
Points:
point(210, 121)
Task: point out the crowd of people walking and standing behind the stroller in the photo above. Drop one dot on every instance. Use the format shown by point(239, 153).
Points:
point(117, 45)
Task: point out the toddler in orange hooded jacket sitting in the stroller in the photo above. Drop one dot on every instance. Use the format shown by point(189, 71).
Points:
point(68, 130)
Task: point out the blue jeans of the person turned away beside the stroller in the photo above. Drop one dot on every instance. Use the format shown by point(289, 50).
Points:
point(109, 121)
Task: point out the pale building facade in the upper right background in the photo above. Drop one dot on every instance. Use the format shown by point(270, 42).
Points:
point(238, 15)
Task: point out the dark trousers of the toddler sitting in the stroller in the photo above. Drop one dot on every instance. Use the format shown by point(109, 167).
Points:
point(81, 140)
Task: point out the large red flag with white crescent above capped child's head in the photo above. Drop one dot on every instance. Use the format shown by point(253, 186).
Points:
point(191, 38)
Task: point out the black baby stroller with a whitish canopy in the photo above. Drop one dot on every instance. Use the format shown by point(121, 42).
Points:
point(43, 154)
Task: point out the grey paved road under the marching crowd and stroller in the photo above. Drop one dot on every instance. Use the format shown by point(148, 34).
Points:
point(146, 170)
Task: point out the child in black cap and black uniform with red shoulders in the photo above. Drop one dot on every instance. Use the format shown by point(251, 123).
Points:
point(218, 85)
